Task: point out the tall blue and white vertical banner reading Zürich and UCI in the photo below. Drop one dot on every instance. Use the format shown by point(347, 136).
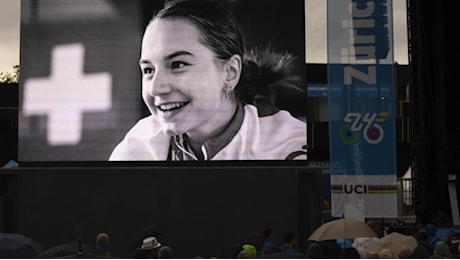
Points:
point(361, 108)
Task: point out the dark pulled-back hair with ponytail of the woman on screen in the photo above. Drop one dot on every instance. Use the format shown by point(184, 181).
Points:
point(267, 76)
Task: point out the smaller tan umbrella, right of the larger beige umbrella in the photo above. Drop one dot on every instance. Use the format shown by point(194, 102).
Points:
point(395, 242)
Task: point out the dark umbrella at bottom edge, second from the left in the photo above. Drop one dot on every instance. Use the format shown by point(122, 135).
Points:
point(71, 250)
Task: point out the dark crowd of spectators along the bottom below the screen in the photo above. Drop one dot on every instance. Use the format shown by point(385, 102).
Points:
point(268, 245)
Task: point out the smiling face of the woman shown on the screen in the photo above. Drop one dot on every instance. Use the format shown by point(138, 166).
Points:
point(183, 81)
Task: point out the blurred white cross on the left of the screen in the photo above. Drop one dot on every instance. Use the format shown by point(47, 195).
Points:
point(66, 94)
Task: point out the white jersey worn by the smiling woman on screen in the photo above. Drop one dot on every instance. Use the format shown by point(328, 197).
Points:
point(275, 137)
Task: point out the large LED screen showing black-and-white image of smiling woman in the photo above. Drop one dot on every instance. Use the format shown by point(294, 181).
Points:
point(117, 80)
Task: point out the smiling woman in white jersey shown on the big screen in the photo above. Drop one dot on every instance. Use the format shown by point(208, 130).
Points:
point(210, 98)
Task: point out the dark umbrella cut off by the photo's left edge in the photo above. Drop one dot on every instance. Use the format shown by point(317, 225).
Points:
point(16, 245)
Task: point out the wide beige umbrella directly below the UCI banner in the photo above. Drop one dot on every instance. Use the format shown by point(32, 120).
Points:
point(342, 228)
